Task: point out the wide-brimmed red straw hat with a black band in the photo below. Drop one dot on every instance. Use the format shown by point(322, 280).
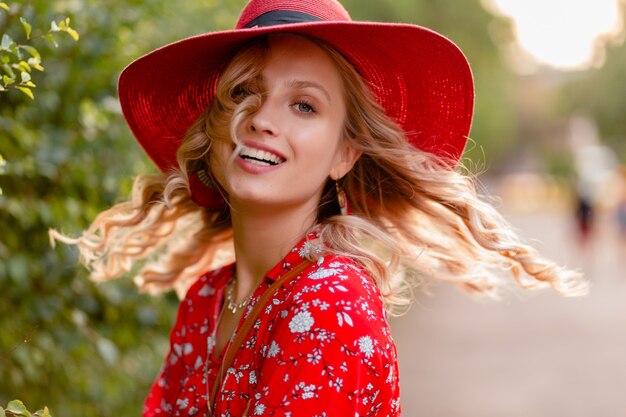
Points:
point(421, 78)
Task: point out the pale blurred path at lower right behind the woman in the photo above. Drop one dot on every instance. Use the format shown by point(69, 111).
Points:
point(535, 354)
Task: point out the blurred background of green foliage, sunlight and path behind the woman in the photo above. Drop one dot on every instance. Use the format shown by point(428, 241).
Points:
point(548, 141)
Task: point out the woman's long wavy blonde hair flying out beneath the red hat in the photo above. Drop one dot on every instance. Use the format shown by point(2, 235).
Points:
point(412, 214)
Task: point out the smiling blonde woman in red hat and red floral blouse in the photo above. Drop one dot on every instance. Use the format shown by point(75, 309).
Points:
point(322, 151)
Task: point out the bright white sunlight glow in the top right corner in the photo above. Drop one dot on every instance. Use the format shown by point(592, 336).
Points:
point(565, 34)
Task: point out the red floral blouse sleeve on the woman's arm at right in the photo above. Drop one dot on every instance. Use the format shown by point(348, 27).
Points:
point(330, 352)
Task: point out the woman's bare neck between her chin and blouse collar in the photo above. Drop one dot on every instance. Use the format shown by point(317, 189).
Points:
point(261, 240)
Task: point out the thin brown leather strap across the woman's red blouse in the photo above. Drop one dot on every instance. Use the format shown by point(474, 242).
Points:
point(233, 347)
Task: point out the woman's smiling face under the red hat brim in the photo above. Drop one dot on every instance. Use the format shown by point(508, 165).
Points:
point(293, 143)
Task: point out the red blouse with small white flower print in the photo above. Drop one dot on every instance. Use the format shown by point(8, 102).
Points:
point(322, 348)
